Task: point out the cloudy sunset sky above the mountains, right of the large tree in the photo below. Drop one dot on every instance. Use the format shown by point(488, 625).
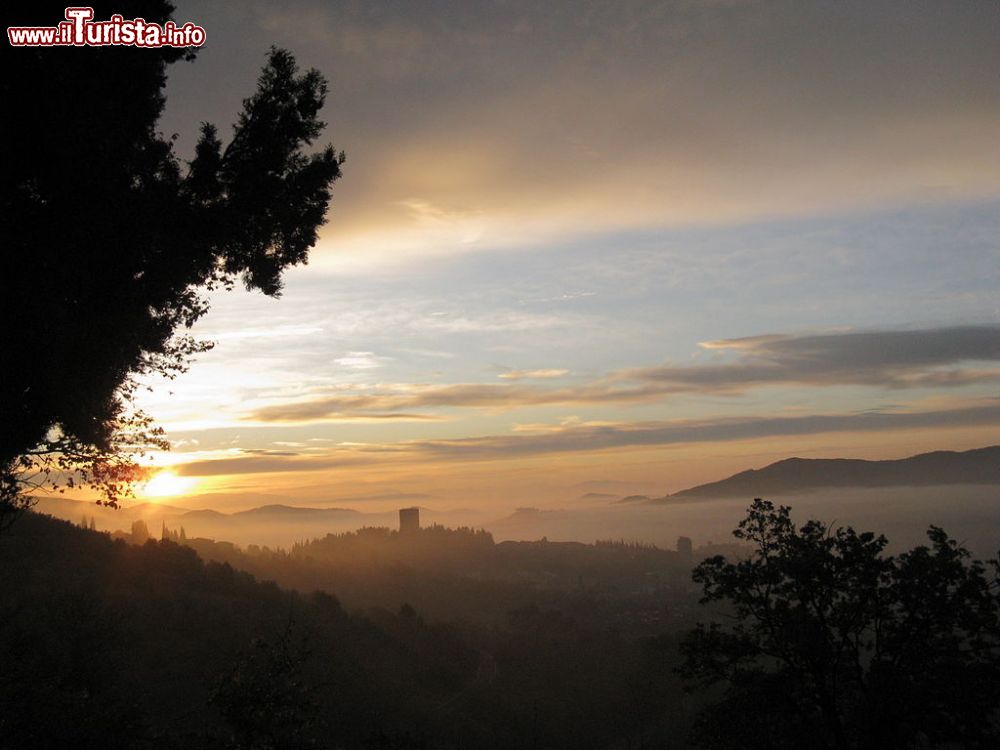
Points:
point(621, 247)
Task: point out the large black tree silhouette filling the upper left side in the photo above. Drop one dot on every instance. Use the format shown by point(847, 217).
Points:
point(109, 238)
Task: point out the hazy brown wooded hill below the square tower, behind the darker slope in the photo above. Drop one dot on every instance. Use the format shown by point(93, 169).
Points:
point(462, 574)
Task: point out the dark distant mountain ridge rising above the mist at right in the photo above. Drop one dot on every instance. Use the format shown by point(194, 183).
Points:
point(978, 466)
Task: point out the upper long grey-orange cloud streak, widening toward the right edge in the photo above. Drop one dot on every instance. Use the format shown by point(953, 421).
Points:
point(938, 357)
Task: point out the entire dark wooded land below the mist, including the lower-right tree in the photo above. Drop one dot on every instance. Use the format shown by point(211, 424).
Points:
point(445, 639)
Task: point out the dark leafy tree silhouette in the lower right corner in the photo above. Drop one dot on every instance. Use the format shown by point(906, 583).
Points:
point(833, 644)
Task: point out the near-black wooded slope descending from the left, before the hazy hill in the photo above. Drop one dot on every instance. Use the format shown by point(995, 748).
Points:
point(109, 645)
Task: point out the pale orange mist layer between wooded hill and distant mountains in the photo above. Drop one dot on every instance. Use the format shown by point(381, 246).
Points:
point(969, 513)
